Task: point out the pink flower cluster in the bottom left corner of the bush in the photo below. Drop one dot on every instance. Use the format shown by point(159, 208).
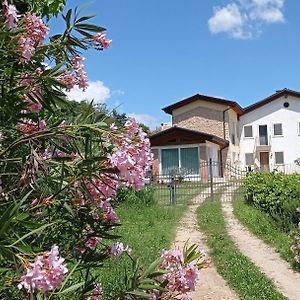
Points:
point(46, 273)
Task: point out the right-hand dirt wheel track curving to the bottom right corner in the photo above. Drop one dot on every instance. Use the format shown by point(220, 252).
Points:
point(285, 279)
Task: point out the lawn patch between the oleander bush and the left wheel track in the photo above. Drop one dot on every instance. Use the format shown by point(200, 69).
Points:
point(147, 230)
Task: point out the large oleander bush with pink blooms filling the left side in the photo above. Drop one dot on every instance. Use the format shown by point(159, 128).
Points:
point(59, 175)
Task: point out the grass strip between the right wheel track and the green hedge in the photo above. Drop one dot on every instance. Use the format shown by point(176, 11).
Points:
point(262, 225)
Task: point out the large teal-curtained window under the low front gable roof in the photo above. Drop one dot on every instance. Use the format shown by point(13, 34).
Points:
point(186, 159)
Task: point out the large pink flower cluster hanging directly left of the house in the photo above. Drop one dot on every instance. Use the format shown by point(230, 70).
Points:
point(132, 155)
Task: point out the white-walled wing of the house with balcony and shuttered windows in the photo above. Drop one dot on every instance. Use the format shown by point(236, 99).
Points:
point(270, 132)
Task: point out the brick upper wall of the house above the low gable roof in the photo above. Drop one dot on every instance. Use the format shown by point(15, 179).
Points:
point(203, 119)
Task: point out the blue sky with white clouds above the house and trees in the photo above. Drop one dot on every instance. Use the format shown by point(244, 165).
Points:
point(163, 51)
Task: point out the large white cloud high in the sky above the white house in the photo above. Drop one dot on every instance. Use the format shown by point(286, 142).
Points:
point(243, 19)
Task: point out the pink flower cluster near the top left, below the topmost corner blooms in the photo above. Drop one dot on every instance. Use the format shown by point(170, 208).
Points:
point(34, 35)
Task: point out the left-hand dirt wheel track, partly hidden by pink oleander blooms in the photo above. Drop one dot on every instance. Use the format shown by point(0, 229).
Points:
point(211, 286)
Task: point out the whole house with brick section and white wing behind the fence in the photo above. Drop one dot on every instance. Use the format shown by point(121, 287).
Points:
point(264, 135)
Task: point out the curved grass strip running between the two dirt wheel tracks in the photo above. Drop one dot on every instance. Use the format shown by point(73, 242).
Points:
point(240, 273)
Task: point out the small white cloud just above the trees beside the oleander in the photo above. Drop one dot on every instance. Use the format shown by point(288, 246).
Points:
point(96, 91)
